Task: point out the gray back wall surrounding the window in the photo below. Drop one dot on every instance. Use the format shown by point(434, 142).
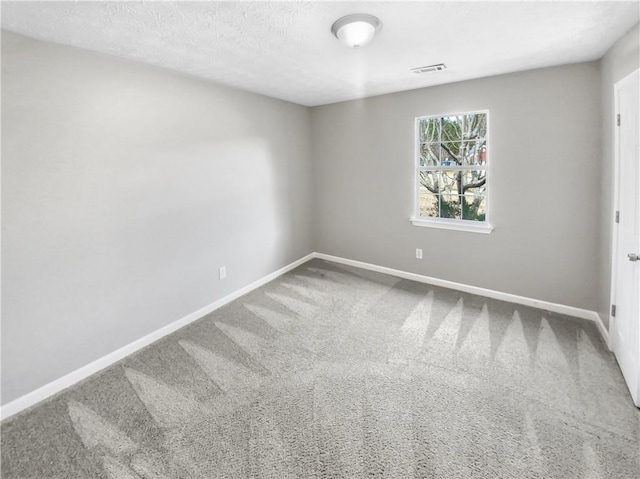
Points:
point(544, 184)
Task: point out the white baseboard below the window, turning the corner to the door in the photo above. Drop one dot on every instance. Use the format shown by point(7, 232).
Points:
point(511, 298)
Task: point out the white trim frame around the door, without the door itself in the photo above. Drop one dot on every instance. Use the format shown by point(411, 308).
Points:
point(616, 203)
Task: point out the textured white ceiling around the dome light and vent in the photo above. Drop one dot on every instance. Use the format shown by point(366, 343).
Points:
point(286, 50)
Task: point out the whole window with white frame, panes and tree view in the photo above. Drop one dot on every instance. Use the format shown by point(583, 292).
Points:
point(451, 171)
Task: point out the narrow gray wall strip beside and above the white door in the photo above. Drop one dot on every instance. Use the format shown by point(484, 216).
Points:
point(623, 58)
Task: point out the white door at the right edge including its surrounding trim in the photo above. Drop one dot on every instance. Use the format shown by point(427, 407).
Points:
point(625, 325)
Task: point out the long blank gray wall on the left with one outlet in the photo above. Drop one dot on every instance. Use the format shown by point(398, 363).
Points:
point(124, 188)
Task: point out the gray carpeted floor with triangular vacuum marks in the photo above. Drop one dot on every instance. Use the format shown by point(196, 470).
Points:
point(333, 371)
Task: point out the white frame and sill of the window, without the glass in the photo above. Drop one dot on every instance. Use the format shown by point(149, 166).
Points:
point(471, 226)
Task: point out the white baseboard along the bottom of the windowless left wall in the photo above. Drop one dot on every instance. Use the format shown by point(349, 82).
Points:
point(74, 377)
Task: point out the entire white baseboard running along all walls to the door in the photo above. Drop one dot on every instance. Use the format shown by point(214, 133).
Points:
point(74, 377)
